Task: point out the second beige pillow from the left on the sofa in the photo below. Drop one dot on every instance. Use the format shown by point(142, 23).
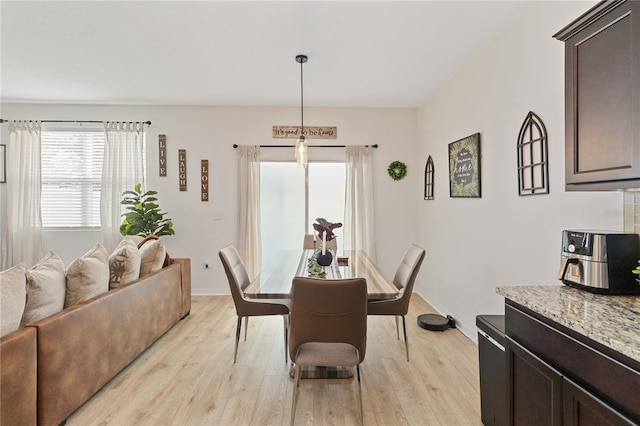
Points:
point(46, 289)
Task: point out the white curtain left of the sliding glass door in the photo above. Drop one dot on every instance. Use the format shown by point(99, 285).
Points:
point(249, 238)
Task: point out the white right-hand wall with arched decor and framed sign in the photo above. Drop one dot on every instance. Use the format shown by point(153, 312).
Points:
point(474, 245)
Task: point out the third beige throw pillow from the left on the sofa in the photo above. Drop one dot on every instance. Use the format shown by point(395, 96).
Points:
point(88, 276)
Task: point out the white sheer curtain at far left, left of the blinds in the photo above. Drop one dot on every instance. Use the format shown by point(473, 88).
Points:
point(23, 242)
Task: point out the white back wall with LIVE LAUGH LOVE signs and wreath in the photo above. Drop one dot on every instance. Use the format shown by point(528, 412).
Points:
point(209, 133)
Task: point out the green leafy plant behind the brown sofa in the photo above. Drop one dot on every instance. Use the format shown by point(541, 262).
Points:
point(143, 216)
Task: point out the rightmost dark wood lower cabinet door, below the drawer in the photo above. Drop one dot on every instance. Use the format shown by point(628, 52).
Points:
point(581, 408)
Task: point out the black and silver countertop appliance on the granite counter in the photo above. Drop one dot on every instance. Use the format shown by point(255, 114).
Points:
point(600, 261)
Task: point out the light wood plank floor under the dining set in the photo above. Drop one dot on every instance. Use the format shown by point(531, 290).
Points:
point(188, 377)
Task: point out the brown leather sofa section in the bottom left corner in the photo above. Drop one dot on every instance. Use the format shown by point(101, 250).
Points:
point(18, 380)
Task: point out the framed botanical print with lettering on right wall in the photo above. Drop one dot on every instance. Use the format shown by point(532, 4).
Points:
point(464, 167)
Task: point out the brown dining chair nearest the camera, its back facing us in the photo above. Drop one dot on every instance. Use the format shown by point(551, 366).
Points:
point(328, 326)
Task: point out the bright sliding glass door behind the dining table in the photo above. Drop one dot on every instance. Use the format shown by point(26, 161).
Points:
point(291, 198)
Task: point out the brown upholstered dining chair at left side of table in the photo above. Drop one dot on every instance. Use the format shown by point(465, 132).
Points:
point(238, 281)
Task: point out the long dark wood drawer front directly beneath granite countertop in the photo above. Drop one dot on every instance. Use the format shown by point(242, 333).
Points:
point(608, 379)
